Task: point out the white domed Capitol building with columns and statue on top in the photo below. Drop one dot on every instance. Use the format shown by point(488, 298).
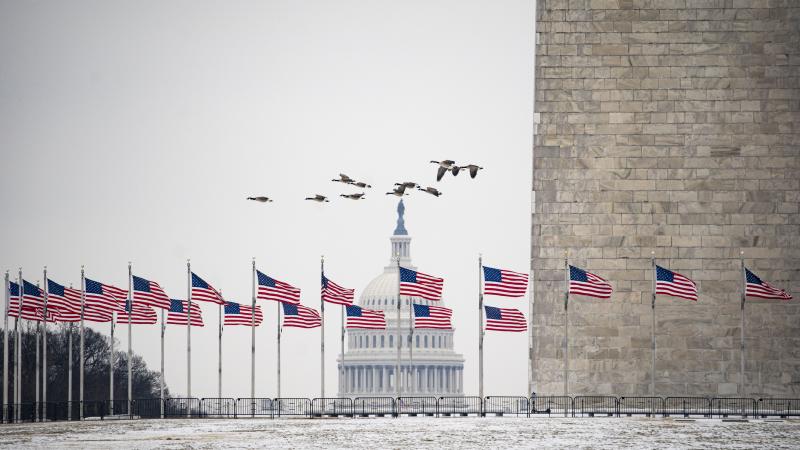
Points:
point(432, 369)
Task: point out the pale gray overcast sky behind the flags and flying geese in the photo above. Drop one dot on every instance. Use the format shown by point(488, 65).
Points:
point(134, 130)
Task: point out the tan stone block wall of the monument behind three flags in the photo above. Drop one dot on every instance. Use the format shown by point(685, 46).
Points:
point(667, 126)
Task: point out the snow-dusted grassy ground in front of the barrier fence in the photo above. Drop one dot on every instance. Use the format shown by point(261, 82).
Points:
point(473, 432)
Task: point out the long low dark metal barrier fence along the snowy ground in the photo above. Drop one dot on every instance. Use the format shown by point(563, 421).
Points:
point(453, 406)
